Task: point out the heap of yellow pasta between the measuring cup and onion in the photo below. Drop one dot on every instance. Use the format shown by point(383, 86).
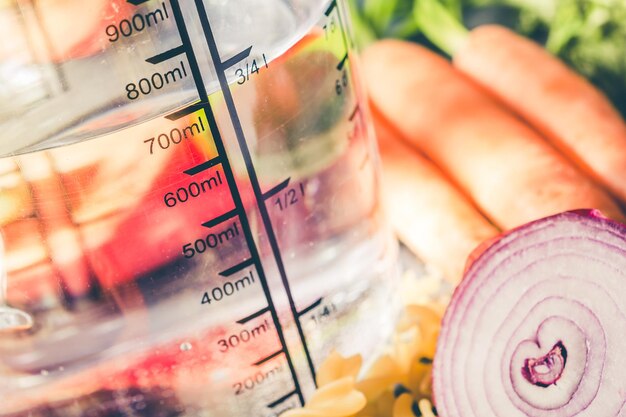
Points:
point(398, 384)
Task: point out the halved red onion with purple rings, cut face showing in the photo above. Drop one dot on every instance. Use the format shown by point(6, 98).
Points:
point(538, 326)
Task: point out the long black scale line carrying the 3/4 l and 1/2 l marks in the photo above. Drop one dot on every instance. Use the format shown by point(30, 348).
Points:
point(254, 181)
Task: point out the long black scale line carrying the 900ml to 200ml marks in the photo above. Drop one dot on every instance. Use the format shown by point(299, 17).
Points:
point(228, 173)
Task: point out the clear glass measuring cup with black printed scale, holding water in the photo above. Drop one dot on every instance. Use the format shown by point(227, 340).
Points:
point(190, 213)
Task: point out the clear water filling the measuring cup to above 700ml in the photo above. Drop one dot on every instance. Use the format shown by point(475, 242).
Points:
point(130, 251)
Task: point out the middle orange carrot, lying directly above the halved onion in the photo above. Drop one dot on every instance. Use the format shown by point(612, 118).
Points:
point(512, 174)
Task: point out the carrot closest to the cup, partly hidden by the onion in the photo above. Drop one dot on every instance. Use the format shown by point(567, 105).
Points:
point(429, 215)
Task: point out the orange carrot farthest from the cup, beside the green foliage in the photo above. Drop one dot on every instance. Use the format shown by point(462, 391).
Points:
point(577, 118)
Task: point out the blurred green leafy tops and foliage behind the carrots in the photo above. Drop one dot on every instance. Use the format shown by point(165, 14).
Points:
point(588, 35)
